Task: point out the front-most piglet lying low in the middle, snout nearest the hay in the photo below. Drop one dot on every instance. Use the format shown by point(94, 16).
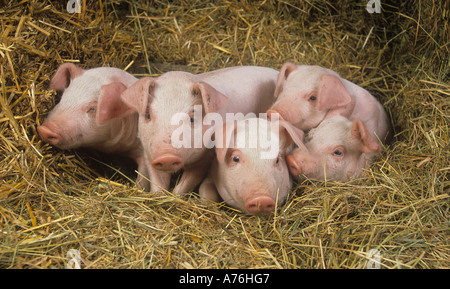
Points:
point(249, 172)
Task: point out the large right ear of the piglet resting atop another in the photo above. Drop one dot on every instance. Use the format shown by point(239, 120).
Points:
point(332, 93)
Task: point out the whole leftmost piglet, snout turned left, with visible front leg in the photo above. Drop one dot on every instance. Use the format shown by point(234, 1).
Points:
point(90, 111)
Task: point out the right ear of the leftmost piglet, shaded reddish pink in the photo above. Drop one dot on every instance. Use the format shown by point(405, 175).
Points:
point(110, 105)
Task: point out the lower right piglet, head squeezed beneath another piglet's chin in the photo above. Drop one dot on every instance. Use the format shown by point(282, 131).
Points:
point(337, 149)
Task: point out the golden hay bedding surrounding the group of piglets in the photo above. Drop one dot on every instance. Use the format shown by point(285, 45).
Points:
point(52, 200)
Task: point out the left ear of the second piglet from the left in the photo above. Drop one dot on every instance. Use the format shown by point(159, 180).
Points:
point(140, 94)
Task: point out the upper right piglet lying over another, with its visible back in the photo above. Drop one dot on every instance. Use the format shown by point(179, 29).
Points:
point(307, 94)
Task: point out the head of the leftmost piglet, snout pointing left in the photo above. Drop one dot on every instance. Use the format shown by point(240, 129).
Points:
point(89, 106)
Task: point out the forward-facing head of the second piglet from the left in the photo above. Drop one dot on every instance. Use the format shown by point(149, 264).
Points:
point(171, 110)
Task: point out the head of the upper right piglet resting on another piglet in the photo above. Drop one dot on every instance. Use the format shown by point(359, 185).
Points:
point(305, 94)
